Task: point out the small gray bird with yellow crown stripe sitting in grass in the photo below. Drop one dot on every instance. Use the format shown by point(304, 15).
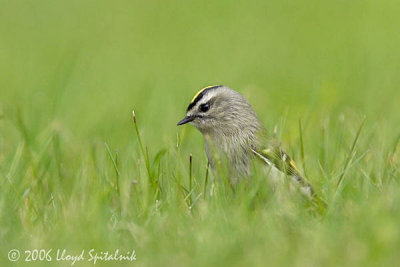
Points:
point(231, 129)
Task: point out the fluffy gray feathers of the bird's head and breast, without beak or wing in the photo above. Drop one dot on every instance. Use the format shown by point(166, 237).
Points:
point(228, 127)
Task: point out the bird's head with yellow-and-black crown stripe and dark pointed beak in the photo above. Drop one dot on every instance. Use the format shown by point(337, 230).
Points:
point(219, 109)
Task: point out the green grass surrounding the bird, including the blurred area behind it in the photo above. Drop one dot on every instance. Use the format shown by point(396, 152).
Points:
point(74, 175)
